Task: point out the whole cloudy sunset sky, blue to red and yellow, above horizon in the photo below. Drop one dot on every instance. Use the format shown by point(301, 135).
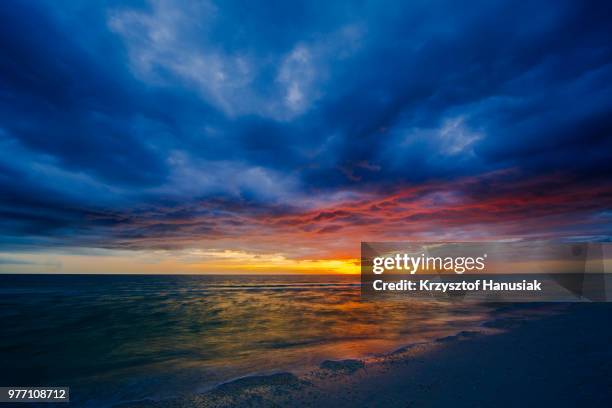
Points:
point(174, 136)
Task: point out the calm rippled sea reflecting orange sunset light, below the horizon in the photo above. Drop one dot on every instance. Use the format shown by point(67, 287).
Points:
point(120, 338)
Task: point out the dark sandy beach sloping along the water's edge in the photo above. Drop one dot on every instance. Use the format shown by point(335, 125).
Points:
point(562, 360)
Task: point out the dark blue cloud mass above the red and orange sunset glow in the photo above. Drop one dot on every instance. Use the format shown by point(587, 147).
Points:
point(114, 106)
